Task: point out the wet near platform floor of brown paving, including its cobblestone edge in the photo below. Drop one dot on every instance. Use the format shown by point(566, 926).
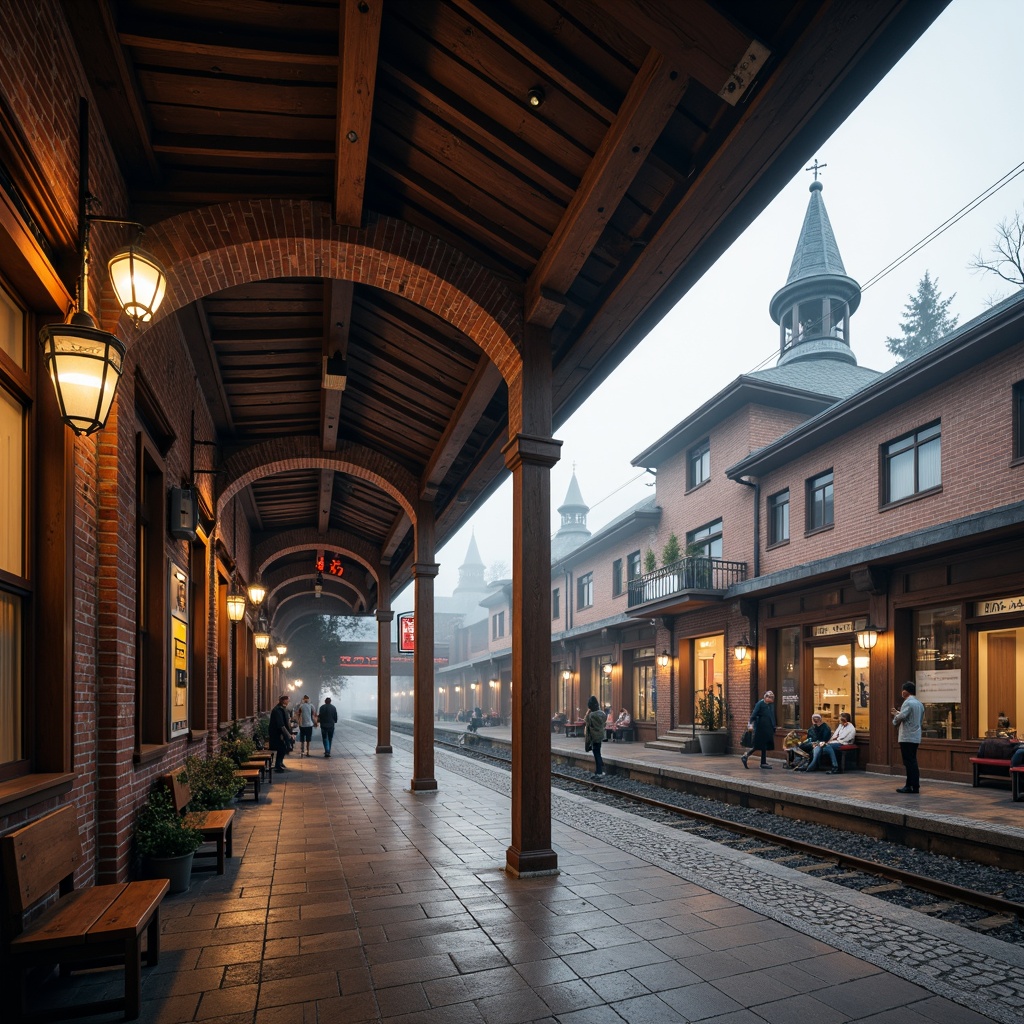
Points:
point(353, 900)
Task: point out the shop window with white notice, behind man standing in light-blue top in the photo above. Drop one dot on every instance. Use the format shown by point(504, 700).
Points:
point(937, 670)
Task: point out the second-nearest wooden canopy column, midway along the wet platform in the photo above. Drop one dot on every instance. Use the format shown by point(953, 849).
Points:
point(424, 572)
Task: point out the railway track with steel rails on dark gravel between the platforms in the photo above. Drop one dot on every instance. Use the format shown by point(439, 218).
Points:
point(997, 909)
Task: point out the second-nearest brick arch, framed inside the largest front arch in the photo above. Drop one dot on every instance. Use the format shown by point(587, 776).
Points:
point(284, 455)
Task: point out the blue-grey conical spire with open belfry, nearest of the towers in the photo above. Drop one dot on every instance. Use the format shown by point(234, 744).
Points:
point(815, 307)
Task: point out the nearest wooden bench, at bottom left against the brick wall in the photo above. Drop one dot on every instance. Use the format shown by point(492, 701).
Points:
point(84, 926)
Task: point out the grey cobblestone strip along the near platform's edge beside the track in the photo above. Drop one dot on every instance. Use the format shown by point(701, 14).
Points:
point(968, 968)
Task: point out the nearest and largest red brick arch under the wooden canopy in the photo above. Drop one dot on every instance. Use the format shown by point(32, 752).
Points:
point(205, 251)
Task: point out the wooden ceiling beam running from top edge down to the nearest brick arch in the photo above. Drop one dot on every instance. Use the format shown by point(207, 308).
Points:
point(359, 41)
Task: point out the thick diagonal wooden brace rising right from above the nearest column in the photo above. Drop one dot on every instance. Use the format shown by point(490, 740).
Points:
point(653, 99)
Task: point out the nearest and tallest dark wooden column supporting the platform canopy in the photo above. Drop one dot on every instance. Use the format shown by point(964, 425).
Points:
point(530, 455)
